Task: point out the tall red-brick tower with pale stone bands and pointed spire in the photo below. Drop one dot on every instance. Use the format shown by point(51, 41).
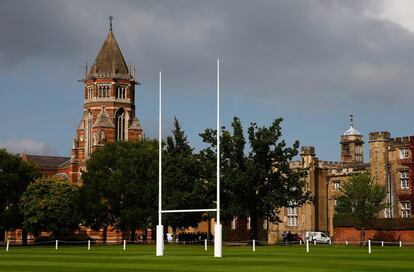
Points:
point(109, 108)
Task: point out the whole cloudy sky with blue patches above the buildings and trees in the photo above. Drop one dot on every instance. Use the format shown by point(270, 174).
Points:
point(311, 62)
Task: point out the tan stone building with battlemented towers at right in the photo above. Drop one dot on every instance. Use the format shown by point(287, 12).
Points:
point(390, 163)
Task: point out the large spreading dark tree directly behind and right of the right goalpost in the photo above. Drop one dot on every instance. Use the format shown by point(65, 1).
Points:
point(260, 183)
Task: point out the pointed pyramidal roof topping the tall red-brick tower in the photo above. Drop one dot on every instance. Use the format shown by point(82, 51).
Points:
point(109, 60)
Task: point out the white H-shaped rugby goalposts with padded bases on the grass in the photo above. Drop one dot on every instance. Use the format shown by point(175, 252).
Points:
point(160, 227)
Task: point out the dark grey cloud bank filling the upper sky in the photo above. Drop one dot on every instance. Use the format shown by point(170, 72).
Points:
point(303, 53)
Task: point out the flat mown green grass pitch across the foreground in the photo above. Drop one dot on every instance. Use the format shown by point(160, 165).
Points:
point(194, 258)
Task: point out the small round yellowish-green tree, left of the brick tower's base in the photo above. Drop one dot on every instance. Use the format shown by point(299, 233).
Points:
point(50, 204)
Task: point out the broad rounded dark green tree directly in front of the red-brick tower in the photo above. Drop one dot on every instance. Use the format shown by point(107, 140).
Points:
point(120, 187)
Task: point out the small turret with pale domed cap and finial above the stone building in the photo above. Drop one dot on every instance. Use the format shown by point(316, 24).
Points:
point(352, 145)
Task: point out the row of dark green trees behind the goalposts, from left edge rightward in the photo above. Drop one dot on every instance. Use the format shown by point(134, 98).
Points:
point(120, 186)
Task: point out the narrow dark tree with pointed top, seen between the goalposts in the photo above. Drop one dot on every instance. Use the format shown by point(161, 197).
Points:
point(182, 186)
